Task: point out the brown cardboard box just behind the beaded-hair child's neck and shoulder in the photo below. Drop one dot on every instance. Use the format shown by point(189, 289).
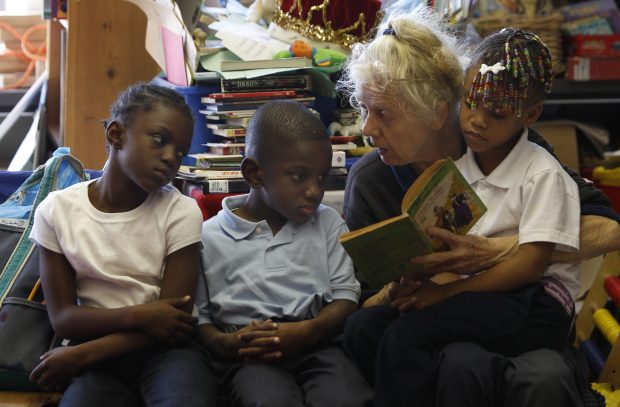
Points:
point(563, 138)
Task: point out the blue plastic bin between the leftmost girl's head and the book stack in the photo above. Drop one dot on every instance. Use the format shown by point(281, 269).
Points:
point(192, 95)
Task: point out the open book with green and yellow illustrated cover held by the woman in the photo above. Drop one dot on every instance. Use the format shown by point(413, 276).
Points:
point(439, 197)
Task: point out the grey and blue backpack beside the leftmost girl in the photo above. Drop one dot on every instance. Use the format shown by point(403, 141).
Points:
point(25, 329)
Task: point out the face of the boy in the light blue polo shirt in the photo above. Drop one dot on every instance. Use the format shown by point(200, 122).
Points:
point(293, 179)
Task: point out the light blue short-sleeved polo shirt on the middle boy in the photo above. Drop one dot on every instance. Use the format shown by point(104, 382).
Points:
point(251, 274)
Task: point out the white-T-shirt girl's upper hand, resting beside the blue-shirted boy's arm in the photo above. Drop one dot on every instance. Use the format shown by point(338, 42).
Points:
point(166, 320)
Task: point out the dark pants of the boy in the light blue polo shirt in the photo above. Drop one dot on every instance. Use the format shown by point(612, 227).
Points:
point(322, 377)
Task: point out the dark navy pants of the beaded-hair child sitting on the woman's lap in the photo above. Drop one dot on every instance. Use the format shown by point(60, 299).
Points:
point(399, 353)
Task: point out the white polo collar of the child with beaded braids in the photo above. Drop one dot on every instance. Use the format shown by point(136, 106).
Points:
point(508, 172)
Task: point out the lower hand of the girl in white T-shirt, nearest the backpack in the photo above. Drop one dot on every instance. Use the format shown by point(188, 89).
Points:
point(57, 367)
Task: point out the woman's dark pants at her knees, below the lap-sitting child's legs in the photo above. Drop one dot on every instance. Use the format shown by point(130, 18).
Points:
point(471, 376)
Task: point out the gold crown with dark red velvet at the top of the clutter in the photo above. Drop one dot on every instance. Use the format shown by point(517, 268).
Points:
point(340, 21)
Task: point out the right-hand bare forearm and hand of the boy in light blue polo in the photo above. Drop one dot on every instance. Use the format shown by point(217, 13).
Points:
point(294, 337)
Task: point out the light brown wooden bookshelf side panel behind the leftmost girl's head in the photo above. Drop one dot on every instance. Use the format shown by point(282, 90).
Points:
point(104, 52)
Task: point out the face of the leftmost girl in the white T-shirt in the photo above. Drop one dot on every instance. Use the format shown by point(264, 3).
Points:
point(153, 146)
